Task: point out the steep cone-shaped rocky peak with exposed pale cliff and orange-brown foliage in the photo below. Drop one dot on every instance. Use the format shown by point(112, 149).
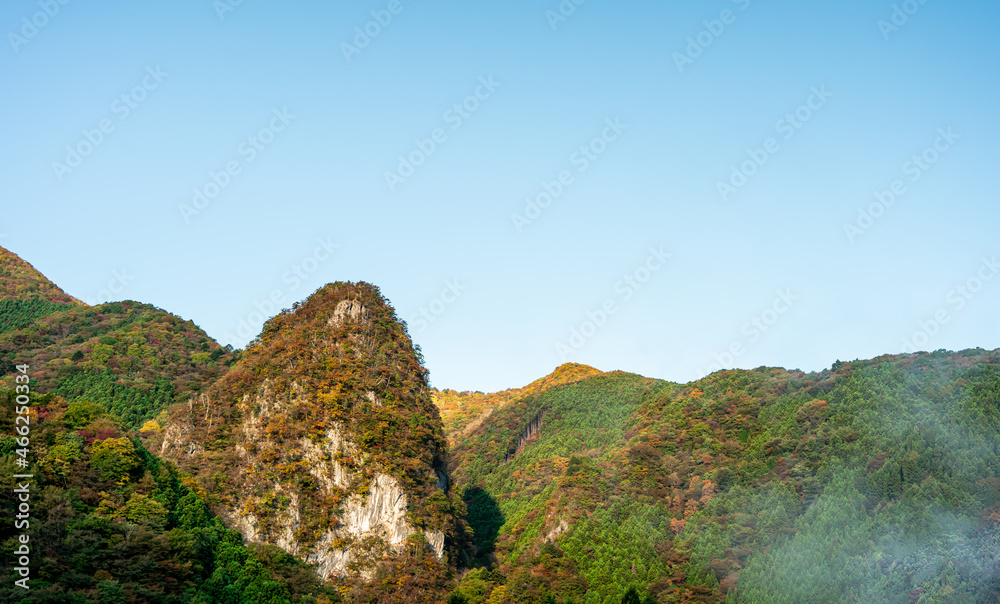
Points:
point(323, 439)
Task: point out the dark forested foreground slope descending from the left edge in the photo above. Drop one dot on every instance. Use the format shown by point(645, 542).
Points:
point(110, 522)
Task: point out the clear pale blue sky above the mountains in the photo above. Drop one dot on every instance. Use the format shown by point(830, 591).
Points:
point(666, 188)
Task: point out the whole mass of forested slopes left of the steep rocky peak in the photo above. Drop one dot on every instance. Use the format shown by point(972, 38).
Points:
point(109, 521)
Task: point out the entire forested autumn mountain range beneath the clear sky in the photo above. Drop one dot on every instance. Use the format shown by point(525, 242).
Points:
point(317, 465)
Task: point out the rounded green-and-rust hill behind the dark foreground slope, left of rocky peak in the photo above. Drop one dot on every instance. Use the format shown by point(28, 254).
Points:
point(134, 358)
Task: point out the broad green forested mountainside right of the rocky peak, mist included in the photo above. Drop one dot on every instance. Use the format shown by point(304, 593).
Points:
point(876, 481)
